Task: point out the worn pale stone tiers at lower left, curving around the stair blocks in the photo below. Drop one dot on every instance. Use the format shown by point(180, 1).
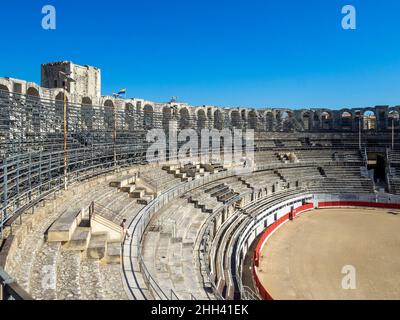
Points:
point(49, 270)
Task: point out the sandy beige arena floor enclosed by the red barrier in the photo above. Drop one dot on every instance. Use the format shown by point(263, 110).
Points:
point(304, 258)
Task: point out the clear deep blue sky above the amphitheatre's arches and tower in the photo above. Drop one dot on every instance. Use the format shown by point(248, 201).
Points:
point(259, 53)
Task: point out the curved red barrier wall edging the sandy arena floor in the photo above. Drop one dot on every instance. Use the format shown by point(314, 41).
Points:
point(256, 256)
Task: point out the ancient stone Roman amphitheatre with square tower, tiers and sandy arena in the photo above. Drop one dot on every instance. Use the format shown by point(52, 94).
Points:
point(320, 191)
